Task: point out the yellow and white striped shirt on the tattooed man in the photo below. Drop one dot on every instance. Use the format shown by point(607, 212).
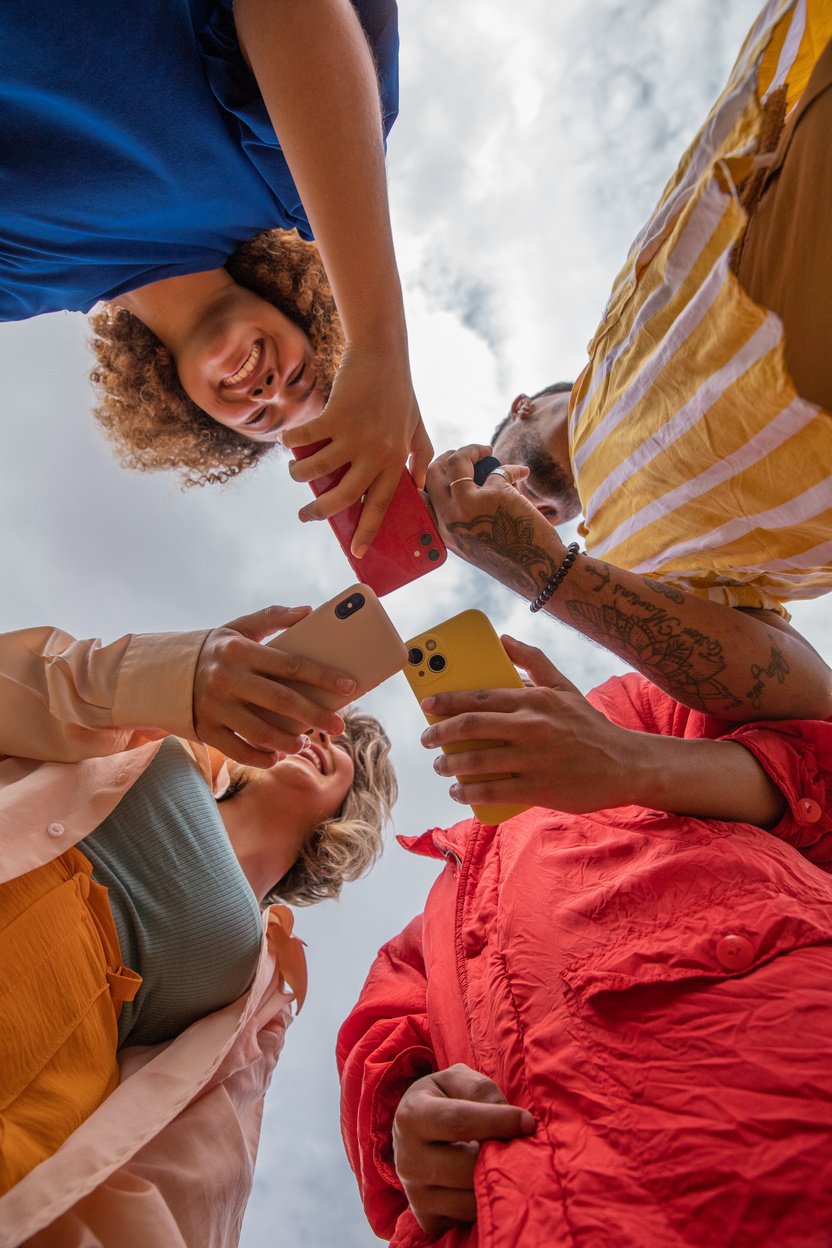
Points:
point(695, 460)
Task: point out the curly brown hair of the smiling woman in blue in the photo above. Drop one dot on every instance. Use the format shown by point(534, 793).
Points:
point(143, 406)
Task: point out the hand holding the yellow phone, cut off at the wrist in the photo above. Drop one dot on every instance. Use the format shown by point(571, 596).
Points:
point(553, 748)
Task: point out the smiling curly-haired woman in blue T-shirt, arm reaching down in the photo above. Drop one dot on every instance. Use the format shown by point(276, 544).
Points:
point(145, 159)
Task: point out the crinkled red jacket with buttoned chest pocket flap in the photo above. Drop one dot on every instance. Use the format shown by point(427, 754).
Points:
point(657, 990)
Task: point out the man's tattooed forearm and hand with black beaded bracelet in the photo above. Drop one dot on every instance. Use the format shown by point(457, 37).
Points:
point(738, 666)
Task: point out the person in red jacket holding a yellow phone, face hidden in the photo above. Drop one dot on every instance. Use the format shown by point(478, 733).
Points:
point(611, 1026)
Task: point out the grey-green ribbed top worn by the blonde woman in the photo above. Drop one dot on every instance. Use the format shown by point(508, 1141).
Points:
point(185, 913)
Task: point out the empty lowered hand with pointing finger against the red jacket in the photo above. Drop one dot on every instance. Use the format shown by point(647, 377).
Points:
point(437, 1131)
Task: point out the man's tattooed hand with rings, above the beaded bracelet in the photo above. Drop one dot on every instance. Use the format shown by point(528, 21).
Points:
point(493, 526)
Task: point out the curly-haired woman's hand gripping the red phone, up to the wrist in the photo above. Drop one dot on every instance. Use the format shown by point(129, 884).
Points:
point(374, 426)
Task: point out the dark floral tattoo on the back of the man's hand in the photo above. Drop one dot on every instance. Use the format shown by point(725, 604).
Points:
point(506, 547)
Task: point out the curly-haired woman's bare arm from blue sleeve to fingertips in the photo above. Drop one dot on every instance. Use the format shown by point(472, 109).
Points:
point(317, 77)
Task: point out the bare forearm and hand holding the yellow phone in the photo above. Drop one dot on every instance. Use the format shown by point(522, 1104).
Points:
point(558, 752)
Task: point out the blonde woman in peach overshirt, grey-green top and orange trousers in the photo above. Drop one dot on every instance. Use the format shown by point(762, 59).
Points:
point(144, 995)
